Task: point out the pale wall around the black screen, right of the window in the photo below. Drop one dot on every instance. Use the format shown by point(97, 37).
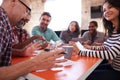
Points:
point(86, 14)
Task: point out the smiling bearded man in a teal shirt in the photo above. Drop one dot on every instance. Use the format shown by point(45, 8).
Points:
point(43, 29)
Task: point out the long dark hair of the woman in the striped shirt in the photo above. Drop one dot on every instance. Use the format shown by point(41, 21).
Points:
point(108, 25)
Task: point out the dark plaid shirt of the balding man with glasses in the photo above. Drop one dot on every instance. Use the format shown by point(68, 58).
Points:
point(5, 39)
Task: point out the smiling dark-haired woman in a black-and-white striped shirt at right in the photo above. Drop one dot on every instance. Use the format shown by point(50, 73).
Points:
point(111, 48)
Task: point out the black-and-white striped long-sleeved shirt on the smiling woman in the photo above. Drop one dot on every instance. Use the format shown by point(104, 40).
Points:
point(110, 50)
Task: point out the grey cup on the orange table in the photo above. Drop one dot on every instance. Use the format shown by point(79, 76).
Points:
point(68, 50)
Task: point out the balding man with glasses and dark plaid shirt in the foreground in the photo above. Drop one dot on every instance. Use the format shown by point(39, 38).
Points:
point(11, 12)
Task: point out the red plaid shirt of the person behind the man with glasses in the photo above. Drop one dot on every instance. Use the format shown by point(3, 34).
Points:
point(20, 35)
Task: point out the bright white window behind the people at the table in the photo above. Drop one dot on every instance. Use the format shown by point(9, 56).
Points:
point(63, 12)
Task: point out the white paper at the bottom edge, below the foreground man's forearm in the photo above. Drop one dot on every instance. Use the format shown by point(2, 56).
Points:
point(30, 76)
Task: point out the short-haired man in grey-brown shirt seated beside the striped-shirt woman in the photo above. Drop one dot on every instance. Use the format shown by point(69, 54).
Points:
point(93, 37)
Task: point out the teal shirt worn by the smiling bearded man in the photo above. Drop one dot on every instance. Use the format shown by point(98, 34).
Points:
point(48, 34)
